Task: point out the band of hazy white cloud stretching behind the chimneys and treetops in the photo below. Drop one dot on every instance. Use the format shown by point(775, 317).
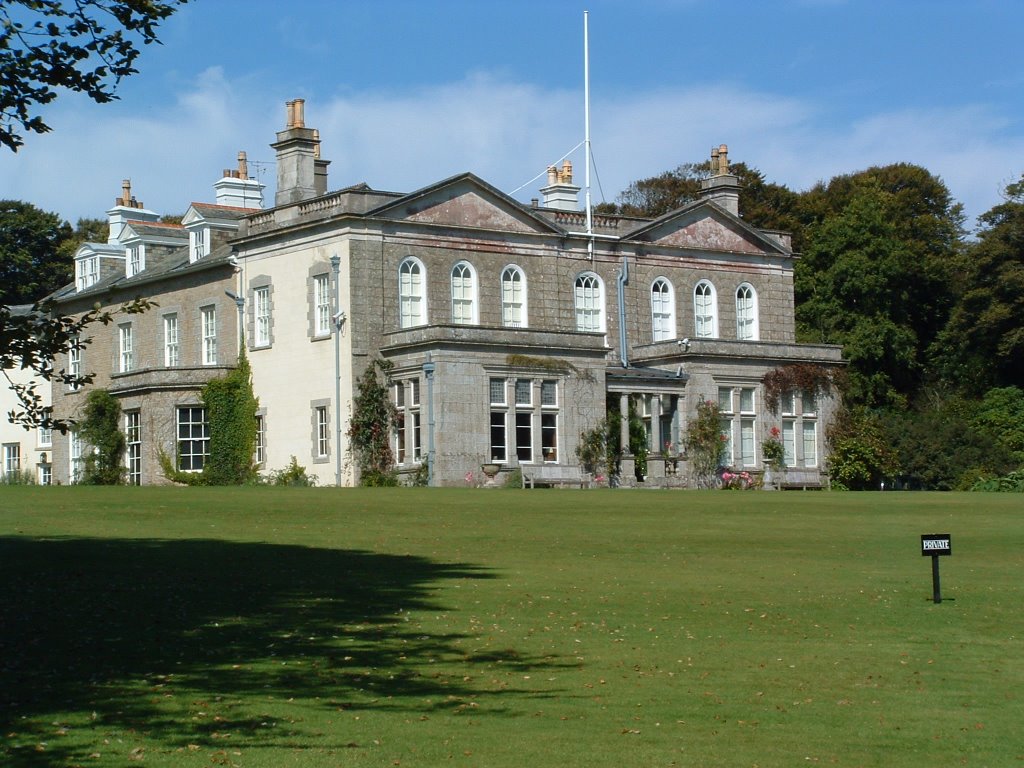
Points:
point(505, 132)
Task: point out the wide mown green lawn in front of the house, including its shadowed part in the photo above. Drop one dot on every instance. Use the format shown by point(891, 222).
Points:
point(266, 627)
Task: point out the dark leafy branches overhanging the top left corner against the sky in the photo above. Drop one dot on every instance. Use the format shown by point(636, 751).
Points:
point(80, 46)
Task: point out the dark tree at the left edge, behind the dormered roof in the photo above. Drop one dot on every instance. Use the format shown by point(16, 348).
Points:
point(31, 266)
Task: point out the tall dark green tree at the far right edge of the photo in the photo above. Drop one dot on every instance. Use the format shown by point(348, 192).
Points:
point(983, 346)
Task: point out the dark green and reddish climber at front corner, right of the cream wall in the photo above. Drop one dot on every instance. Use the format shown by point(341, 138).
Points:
point(370, 428)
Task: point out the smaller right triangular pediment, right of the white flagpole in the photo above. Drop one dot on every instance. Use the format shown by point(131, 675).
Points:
point(706, 227)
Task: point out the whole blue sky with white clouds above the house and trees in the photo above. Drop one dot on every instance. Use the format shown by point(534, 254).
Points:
point(406, 94)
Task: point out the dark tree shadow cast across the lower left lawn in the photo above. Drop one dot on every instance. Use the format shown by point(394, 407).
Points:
point(110, 630)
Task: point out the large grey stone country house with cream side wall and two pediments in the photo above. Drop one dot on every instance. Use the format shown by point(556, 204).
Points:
point(509, 329)
